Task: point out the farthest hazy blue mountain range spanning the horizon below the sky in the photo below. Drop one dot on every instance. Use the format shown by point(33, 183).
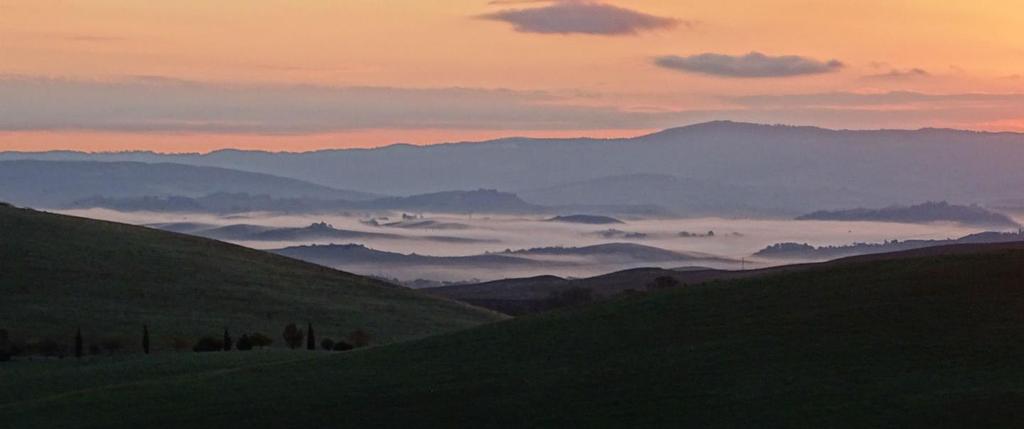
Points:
point(810, 168)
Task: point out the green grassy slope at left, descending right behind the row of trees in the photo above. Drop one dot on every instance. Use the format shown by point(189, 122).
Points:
point(61, 273)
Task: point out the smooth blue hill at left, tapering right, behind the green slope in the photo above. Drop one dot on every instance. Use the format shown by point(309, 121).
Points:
point(56, 185)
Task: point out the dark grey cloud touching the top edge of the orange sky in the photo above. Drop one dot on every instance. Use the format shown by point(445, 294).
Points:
point(582, 18)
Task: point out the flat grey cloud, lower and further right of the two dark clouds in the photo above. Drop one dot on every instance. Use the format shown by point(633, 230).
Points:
point(754, 65)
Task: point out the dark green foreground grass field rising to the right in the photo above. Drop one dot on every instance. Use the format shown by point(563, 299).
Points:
point(925, 339)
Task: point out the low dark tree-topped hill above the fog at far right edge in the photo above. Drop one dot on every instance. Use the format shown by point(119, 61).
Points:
point(922, 213)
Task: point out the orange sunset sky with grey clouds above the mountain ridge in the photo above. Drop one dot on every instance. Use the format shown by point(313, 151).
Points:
point(303, 75)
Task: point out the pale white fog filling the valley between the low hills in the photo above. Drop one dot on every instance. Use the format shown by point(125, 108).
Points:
point(733, 240)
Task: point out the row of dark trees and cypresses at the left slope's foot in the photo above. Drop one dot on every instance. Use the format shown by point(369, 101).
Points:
point(293, 336)
